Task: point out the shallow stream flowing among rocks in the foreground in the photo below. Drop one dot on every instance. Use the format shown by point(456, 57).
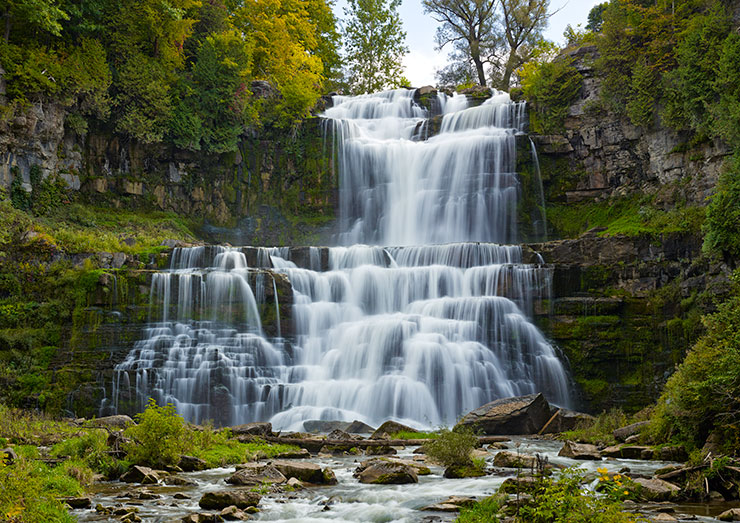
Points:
point(350, 501)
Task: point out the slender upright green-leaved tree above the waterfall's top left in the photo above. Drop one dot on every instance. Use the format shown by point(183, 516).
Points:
point(374, 45)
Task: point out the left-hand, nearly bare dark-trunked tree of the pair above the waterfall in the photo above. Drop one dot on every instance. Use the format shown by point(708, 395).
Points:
point(468, 25)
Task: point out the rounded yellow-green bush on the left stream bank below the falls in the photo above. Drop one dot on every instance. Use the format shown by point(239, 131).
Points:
point(159, 438)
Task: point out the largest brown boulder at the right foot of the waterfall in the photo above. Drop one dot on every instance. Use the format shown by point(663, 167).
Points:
point(517, 415)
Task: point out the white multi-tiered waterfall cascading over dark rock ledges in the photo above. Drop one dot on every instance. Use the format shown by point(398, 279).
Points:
point(420, 317)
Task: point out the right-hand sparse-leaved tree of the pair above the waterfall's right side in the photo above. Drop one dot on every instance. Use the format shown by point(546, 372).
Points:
point(522, 23)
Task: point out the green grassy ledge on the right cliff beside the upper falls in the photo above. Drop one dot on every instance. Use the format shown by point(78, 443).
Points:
point(631, 216)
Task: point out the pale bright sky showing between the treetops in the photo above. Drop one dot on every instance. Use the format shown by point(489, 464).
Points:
point(422, 60)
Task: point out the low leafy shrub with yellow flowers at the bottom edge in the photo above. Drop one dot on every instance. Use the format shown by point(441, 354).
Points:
point(565, 500)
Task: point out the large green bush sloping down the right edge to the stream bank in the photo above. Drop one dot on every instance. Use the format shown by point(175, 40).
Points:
point(702, 395)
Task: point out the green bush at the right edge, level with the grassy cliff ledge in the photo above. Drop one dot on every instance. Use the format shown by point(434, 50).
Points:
point(722, 226)
